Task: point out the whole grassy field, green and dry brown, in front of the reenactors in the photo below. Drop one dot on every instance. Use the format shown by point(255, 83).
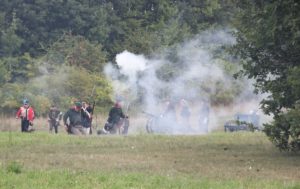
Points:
point(219, 160)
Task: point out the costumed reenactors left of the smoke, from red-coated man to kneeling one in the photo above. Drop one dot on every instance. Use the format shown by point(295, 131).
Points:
point(77, 120)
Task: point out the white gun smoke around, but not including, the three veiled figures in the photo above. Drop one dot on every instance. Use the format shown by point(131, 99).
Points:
point(196, 67)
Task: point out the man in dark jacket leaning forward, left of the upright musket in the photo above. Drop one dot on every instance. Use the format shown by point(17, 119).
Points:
point(75, 117)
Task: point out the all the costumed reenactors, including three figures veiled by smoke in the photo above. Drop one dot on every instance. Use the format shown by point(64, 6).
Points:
point(78, 119)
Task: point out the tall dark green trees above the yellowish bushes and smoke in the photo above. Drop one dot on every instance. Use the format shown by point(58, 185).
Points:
point(117, 25)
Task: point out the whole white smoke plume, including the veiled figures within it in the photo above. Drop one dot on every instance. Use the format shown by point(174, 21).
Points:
point(196, 74)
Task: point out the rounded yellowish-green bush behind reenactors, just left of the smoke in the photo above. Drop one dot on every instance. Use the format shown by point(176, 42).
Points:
point(67, 85)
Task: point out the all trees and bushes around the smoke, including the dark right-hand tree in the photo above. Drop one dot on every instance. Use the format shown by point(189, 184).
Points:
point(54, 51)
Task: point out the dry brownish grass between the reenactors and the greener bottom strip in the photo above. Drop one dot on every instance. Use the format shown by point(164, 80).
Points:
point(219, 155)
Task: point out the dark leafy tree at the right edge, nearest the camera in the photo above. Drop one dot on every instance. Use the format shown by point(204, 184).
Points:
point(268, 39)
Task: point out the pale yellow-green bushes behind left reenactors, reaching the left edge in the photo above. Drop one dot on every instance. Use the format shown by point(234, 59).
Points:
point(60, 88)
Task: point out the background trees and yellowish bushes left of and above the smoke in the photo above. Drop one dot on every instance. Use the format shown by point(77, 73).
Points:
point(55, 51)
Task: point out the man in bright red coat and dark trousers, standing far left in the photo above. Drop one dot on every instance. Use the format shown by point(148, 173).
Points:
point(26, 113)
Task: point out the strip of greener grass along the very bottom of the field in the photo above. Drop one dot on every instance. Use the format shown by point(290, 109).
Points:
point(81, 179)
